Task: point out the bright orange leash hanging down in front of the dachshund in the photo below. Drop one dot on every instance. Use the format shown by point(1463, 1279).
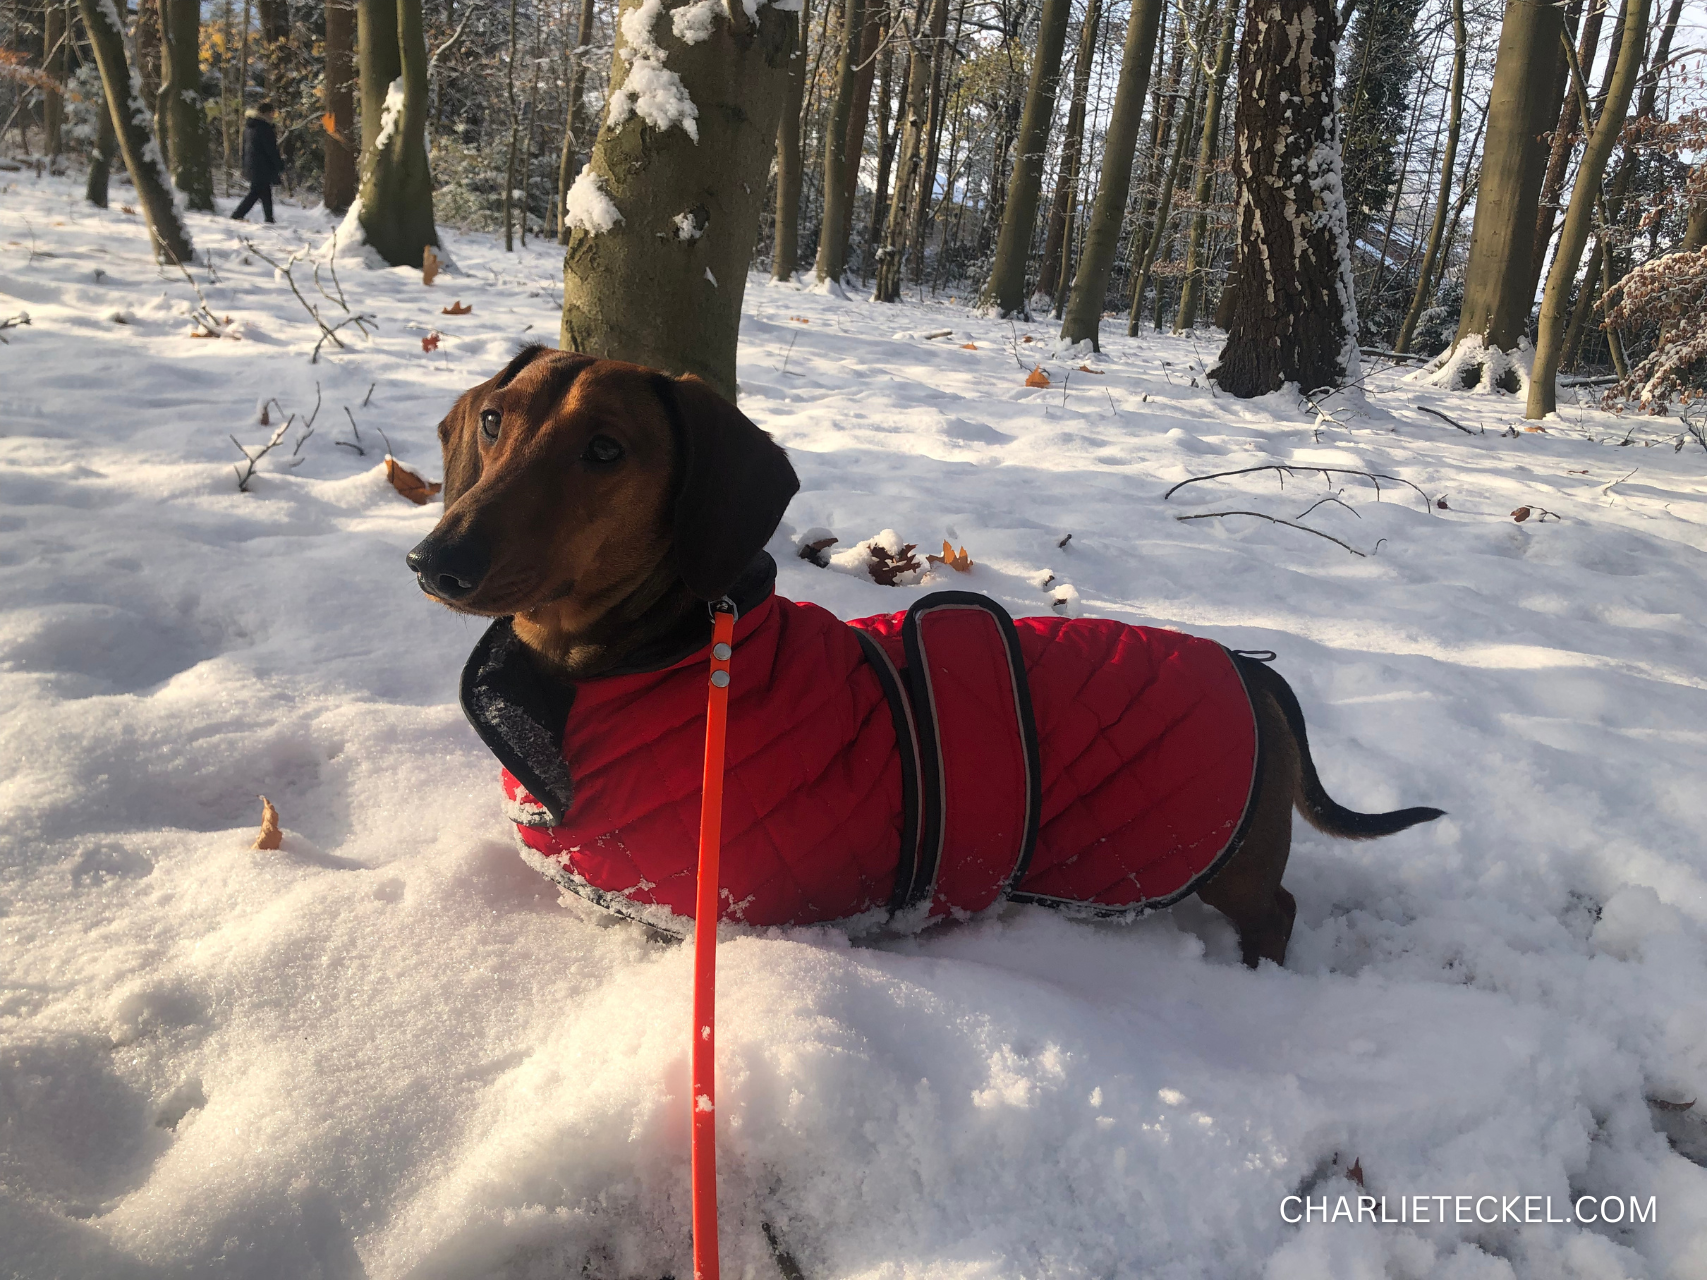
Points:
point(706, 951)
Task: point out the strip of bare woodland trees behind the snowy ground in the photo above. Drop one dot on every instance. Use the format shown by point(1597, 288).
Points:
point(1493, 190)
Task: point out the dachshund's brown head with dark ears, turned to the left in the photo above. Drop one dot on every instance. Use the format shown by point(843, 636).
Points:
point(569, 482)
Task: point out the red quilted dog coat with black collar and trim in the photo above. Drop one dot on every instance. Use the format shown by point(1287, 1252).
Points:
point(894, 769)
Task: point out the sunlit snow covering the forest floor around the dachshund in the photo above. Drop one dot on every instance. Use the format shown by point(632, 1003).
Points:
point(388, 1050)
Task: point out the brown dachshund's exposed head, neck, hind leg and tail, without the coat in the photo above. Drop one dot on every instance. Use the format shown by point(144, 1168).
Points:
point(600, 506)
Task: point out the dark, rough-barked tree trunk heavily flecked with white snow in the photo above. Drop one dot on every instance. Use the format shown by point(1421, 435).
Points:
point(1295, 318)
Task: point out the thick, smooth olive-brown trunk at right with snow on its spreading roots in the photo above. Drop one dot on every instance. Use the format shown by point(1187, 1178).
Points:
point(1513, 165)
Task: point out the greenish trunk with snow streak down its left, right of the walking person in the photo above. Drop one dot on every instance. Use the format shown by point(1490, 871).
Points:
point(397, 183)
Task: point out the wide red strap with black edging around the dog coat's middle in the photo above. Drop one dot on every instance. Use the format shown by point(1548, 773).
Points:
point(979, 752)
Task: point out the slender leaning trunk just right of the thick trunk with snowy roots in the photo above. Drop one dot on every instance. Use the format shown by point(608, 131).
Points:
point(1580, 216)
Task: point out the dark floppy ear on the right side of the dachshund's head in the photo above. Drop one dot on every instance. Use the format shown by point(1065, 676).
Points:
point(737, 484)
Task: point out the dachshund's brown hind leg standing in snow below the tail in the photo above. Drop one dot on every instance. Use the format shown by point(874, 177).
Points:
point(1247, 890)
